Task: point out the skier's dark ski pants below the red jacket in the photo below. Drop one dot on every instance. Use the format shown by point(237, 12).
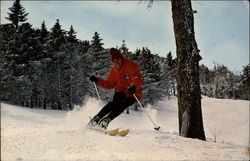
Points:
point(117, 106)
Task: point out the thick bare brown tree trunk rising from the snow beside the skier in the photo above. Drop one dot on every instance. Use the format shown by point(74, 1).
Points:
point(188, 85)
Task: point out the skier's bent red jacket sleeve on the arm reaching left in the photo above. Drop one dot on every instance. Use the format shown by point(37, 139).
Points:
point(109, 83)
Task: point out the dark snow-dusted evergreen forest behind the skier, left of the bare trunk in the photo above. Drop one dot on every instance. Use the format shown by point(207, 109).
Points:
point(41, 67)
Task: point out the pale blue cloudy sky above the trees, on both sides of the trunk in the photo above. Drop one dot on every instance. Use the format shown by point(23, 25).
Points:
point(221, 27)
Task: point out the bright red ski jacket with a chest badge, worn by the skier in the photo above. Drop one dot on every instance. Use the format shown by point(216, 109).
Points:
point(121, 78)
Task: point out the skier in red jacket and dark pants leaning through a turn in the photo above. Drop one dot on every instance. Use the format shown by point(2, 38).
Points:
point(126, 78)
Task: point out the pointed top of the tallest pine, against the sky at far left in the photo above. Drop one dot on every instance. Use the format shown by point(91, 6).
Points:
point(17, 13)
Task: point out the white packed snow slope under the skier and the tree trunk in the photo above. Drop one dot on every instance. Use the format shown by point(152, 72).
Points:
point(36, 134)
